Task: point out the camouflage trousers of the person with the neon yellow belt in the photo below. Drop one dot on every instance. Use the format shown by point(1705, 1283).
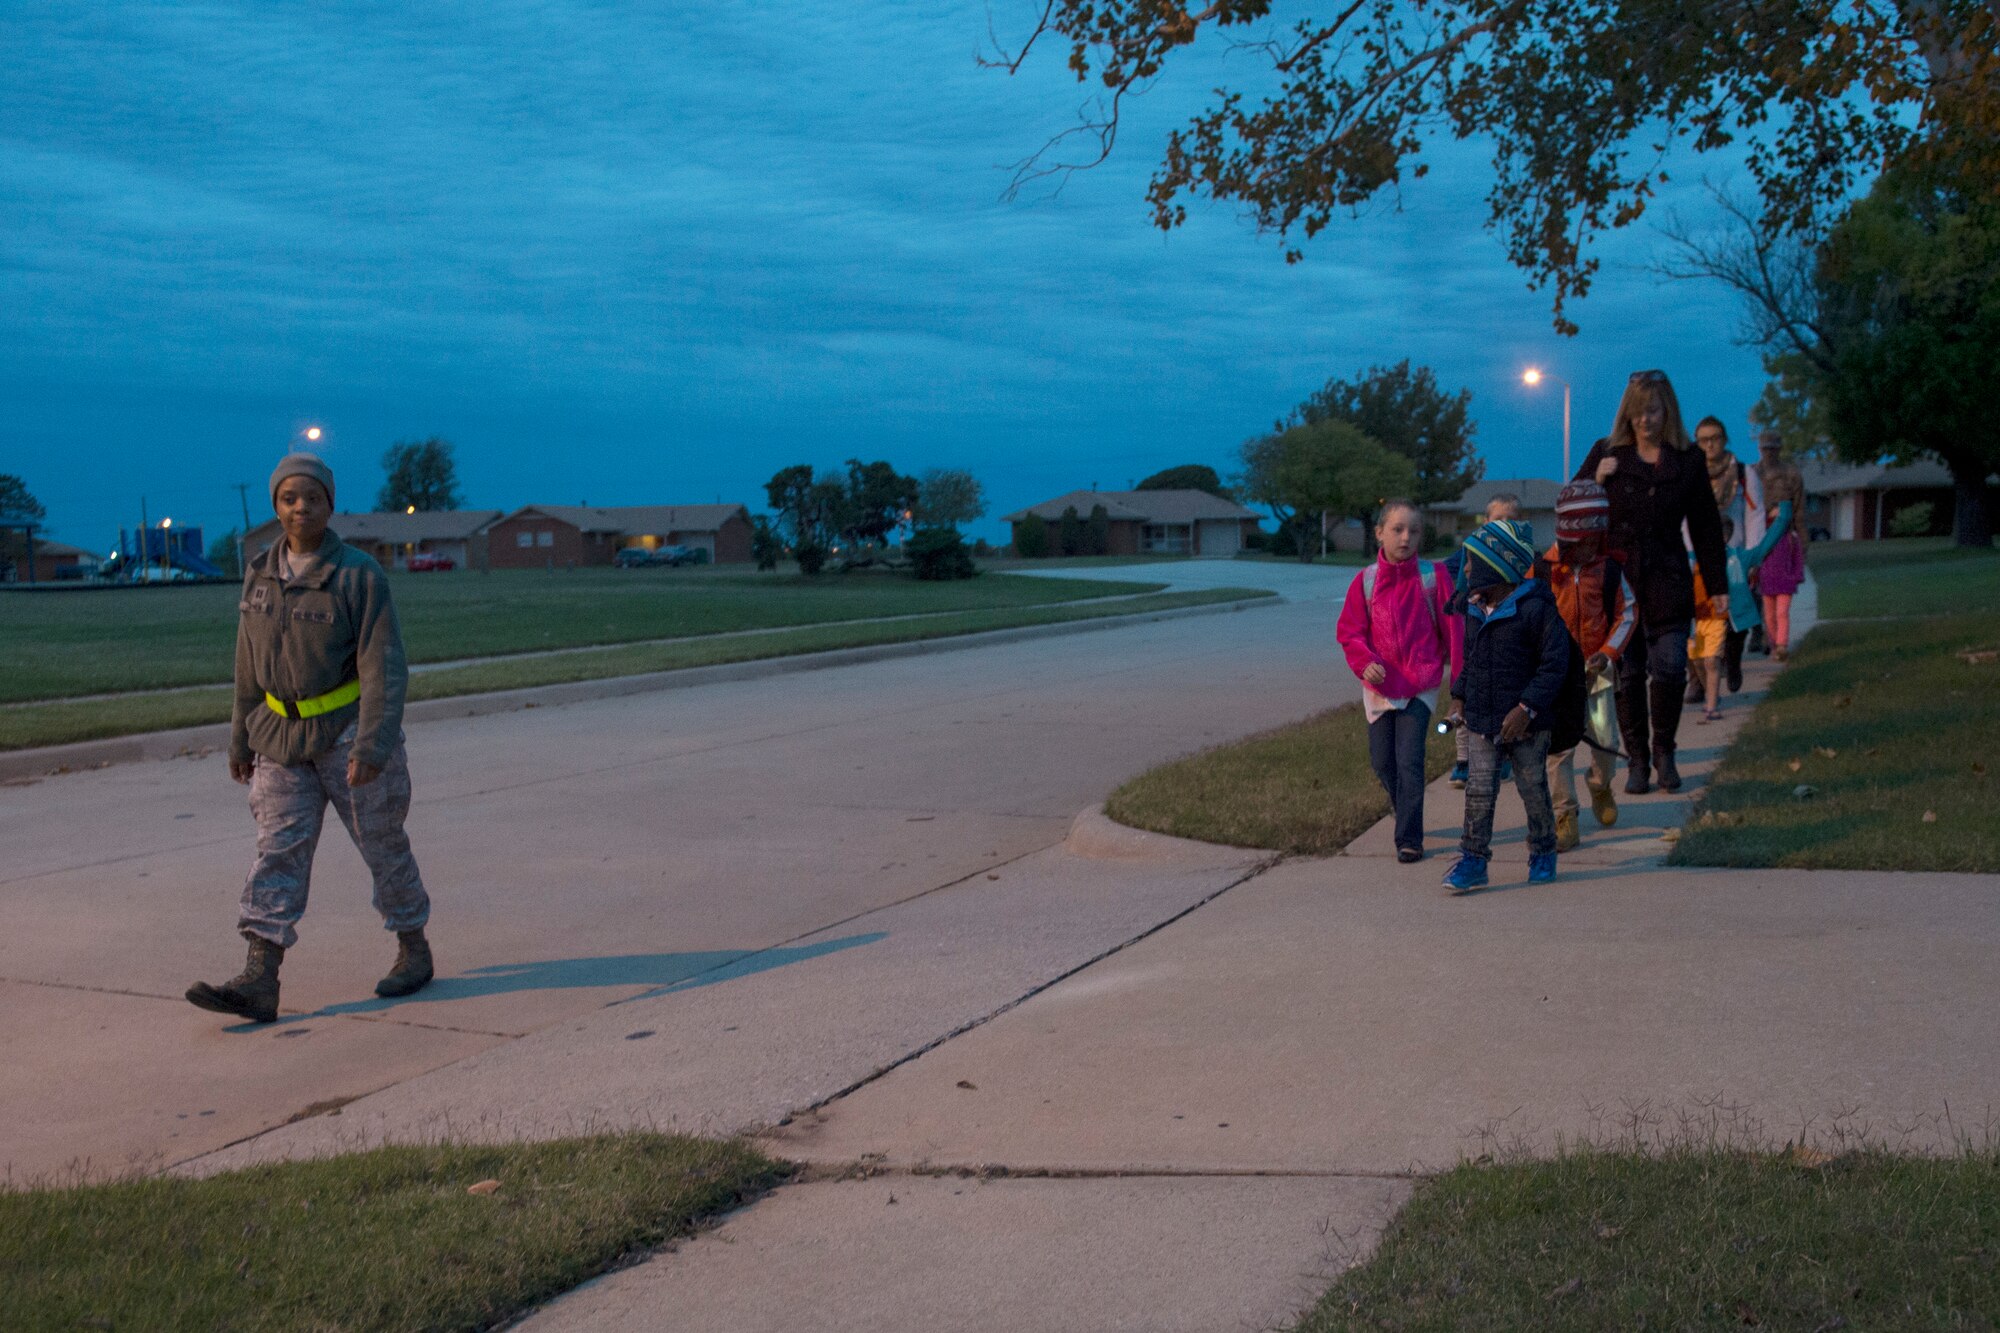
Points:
point(291, 810)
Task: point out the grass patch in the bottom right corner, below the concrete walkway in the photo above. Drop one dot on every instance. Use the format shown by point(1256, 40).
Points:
point(1687, 1240)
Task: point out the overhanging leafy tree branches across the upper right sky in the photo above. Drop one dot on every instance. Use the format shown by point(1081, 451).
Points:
point(1577, 99)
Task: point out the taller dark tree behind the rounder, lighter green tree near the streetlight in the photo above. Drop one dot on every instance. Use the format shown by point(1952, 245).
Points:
point(1409, 413)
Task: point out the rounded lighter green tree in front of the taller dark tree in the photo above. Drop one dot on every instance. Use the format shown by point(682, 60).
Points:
point(1311, 473)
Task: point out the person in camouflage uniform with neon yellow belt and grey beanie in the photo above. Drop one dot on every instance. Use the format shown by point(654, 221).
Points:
point(321, 680)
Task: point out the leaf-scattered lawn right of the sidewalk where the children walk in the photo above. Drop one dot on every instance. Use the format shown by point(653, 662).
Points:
point(1887, 724)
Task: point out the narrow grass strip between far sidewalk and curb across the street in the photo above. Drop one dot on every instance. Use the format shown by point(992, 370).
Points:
point(65, 722)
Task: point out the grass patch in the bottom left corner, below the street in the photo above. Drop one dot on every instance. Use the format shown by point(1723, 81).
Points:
point(385, 1240)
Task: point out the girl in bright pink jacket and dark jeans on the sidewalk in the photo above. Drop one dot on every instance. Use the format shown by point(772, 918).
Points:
point(1401, 637)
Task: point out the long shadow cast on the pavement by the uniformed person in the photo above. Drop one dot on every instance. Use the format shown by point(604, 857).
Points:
point(661, 972)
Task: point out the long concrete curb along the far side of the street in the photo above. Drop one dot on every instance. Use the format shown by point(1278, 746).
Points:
point(195, 742)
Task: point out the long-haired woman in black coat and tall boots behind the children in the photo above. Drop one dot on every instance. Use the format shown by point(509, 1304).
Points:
point(1657, 483)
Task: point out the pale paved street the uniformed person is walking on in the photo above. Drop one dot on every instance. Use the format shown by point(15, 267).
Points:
point(581, 858)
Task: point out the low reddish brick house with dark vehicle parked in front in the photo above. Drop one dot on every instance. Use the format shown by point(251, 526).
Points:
point(561, 535)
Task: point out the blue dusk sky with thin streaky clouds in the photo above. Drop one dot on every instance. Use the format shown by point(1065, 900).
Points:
point(627, 255)
